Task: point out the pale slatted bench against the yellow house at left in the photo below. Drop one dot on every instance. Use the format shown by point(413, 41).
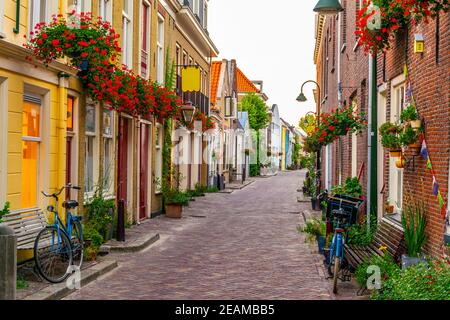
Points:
point(26, 226)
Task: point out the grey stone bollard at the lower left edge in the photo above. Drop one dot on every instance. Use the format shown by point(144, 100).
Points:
point(8, 263)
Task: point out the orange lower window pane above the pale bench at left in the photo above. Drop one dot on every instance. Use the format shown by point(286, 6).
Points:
point(30, 154)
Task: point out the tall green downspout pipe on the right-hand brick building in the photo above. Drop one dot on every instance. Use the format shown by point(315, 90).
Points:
point(372, 141)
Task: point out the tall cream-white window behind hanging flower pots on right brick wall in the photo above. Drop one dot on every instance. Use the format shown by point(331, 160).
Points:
point(398, 98)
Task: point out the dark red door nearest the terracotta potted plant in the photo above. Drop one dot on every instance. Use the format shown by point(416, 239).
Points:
point(143, 176)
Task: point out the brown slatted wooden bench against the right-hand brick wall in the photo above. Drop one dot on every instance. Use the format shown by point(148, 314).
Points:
point(386, 235)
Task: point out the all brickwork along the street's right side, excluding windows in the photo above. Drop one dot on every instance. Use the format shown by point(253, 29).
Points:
point(430, 79)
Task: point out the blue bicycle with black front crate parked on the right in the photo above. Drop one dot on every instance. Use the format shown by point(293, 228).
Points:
point(336, 257)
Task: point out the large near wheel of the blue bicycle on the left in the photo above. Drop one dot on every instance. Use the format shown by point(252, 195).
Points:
point(53, 254)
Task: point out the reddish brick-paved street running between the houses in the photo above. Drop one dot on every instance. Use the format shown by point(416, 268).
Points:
point(242, 245)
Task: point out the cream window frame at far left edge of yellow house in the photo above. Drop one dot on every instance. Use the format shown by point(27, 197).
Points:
point(3, 138)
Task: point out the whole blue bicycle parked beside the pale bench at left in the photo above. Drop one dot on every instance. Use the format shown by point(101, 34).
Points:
point(59, 248)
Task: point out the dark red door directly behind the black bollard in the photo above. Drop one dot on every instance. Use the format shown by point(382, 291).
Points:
point(122, 175)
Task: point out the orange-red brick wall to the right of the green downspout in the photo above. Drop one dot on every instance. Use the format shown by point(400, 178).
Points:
point(430, 81)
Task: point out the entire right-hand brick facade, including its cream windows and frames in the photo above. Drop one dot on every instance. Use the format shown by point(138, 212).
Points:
point(339, 57)
